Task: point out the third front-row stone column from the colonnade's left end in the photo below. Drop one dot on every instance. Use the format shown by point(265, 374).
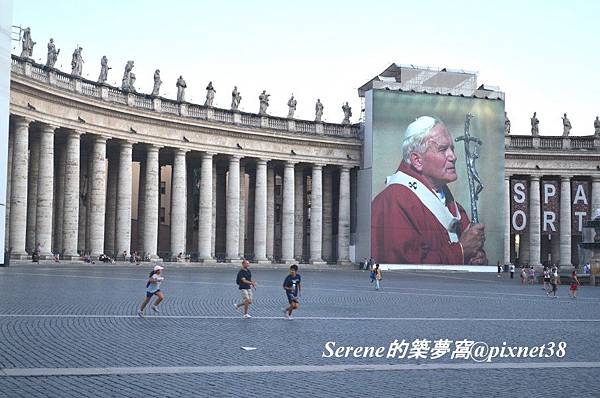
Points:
point(70, 221)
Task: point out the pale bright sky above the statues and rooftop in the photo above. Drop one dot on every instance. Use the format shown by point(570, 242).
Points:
point(542, 54)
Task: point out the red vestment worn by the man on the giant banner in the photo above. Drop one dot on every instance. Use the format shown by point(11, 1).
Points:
point(405, 231)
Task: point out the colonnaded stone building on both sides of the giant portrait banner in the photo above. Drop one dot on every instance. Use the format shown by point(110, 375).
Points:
point(95, 169)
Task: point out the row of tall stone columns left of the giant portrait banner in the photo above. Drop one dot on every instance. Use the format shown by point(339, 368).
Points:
point(63, 198)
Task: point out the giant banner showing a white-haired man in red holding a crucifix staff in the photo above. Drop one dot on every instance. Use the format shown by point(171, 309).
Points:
point(422, 206)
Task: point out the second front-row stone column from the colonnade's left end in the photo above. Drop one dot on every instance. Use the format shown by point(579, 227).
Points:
point(45, 188)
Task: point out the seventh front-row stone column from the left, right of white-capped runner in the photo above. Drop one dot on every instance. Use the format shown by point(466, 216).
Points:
point(178, 203)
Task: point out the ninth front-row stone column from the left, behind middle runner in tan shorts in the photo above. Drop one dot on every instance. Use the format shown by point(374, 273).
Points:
point(233, 209)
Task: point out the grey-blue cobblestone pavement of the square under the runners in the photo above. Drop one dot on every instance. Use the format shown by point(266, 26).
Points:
point(71, 331)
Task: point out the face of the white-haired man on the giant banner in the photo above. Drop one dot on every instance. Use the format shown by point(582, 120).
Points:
point(438, 162)
